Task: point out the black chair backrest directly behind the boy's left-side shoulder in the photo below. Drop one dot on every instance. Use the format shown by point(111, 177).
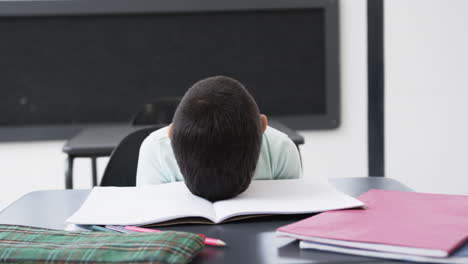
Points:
point(122, 165)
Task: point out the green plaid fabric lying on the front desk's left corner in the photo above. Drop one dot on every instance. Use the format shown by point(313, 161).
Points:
point(23, 244)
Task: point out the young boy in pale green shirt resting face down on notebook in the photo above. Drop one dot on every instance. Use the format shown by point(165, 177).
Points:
point(217, 143)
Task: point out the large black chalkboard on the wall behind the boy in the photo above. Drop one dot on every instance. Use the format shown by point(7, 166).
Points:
point(90, 68)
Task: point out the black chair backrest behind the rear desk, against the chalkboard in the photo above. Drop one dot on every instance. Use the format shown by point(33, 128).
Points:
point(158, 112)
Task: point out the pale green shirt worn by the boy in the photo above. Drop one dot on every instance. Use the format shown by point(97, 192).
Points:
point(279, 159)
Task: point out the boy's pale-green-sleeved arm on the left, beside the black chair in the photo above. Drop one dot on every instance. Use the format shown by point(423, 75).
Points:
point(149, 169)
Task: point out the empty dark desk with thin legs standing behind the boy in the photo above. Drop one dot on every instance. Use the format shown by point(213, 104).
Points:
point(100, 141)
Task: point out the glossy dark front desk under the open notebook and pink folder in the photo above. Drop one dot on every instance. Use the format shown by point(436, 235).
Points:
point(249, 241)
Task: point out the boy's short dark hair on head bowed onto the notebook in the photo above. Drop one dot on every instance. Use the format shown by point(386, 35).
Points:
point(216, 138)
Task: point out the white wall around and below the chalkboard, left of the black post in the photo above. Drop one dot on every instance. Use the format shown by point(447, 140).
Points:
point(337, 153)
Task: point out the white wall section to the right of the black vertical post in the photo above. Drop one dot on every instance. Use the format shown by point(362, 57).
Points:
point(426, 128)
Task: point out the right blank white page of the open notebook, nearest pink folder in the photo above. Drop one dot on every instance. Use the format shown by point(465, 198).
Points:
point(284, 197)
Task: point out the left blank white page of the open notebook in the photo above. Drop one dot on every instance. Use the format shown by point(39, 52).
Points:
point(141, 205)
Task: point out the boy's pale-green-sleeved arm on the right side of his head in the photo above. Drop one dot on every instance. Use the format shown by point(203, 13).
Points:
point(288, 162)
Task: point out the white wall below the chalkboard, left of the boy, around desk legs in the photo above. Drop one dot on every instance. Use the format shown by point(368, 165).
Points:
point(30, 166)
